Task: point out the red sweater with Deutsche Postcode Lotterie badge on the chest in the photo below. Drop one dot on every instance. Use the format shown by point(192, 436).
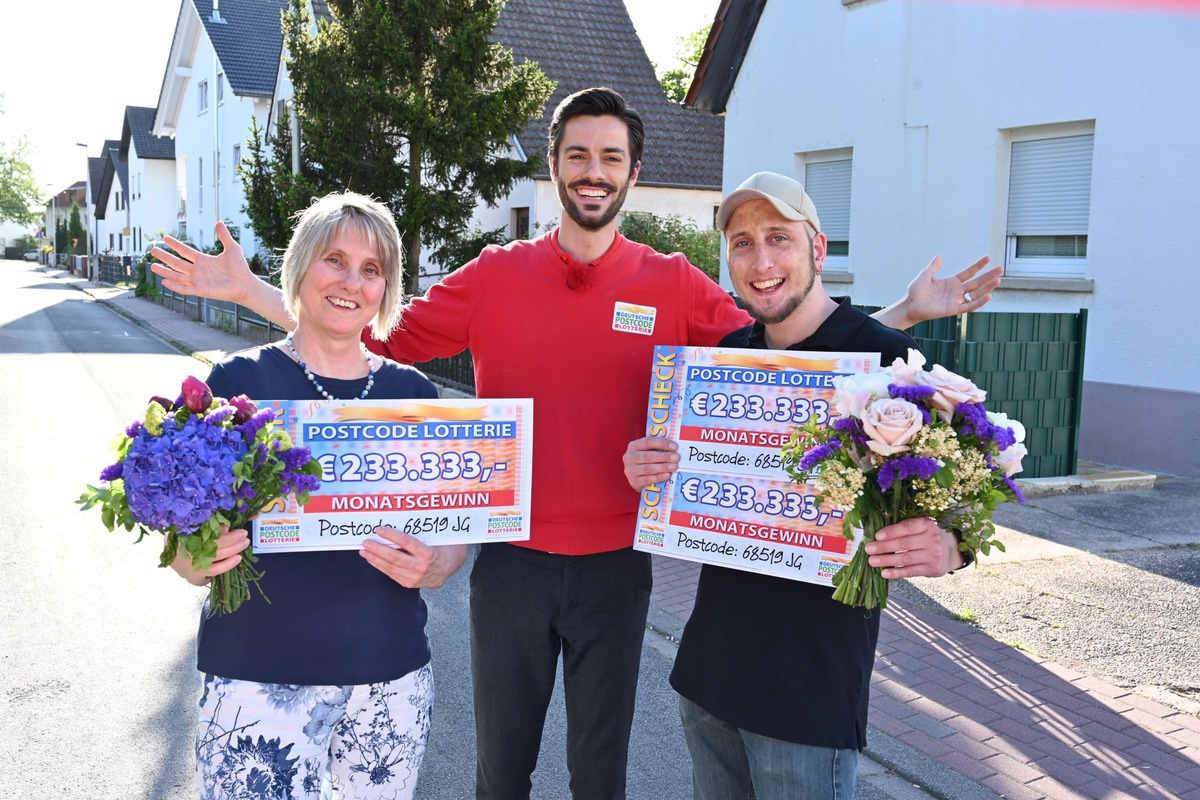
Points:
point(531, 335)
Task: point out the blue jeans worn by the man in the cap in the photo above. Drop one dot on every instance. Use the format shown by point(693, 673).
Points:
point(727, 762)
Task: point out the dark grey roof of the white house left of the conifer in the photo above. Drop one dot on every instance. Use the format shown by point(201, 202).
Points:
point(249, 40)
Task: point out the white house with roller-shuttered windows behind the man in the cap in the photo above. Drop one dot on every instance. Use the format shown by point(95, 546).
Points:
point(1055, 140)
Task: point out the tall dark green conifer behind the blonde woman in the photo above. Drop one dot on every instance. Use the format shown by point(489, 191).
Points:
point(411, 103)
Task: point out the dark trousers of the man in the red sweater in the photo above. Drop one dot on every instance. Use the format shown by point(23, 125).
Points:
point(526, 609)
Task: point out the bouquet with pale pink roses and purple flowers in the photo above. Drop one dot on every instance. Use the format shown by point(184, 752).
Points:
point(909, 443)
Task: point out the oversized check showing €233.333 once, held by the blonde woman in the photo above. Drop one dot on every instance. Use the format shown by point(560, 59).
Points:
point(445, 471)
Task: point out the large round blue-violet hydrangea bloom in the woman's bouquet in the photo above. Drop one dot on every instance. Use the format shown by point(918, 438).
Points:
point(183, 477)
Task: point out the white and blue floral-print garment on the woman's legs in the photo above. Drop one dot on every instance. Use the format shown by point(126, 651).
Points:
point(277, 742)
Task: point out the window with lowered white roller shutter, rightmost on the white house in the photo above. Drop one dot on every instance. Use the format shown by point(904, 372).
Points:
point(1049, 203)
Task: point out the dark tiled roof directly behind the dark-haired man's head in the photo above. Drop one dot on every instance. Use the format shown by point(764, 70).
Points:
point(595, 44)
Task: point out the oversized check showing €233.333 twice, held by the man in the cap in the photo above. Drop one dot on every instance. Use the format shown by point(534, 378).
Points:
point(731, 503)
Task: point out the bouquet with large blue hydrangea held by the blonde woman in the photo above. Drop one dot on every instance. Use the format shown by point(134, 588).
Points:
point(194, 466)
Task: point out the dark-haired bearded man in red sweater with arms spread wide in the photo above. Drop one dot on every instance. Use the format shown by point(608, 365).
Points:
point(572, 320)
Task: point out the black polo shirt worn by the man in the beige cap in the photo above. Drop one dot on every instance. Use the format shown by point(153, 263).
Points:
point(779, 658)
